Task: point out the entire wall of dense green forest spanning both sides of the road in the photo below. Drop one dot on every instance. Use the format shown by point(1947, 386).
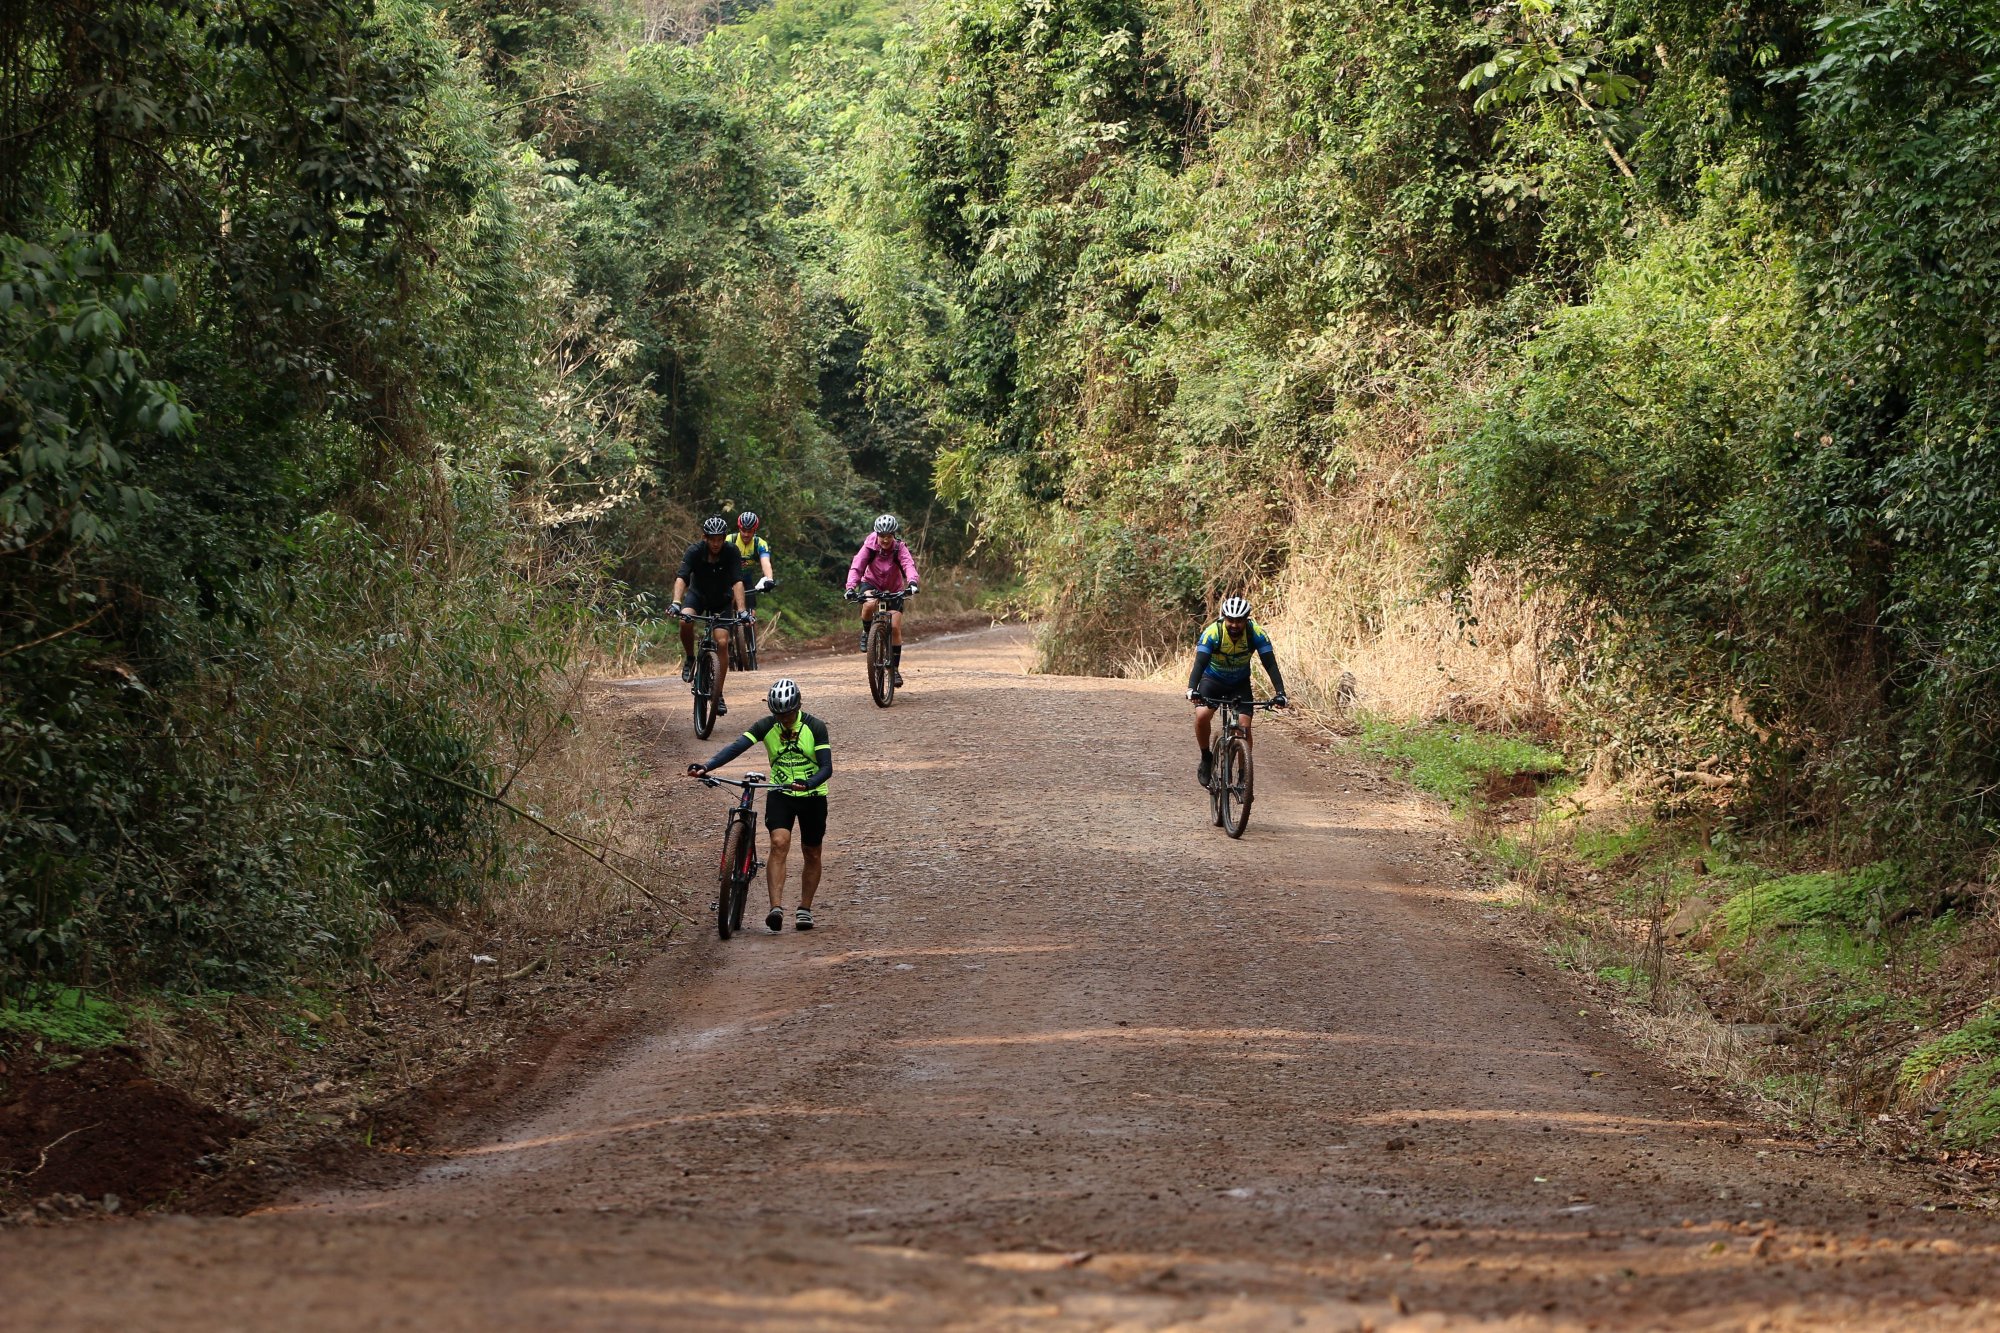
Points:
point(363, 363)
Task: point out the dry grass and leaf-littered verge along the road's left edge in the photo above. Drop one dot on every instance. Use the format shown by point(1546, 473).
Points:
point(343, 1064)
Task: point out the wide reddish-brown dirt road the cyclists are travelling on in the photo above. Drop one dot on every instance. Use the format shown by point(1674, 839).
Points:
point(1067, 1058)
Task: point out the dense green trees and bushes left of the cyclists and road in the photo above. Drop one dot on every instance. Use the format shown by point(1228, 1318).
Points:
point(415, 325)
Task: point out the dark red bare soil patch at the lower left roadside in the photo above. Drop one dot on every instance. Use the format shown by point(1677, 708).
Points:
point(105, 1128)
